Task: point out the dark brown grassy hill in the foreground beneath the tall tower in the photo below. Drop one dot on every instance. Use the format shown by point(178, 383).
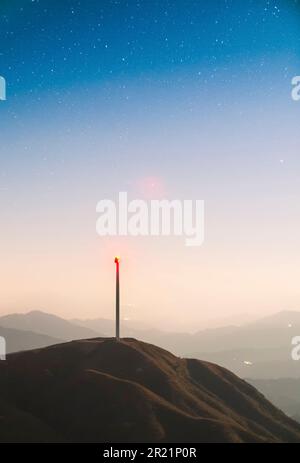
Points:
point(99, 390)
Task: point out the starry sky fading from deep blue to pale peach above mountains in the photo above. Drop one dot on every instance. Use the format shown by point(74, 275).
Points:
point(178, 99)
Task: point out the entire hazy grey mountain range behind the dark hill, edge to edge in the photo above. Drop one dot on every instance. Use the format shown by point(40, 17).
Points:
point(261, 349)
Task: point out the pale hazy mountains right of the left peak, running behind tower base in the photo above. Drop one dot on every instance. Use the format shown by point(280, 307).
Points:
point(260, 349)
